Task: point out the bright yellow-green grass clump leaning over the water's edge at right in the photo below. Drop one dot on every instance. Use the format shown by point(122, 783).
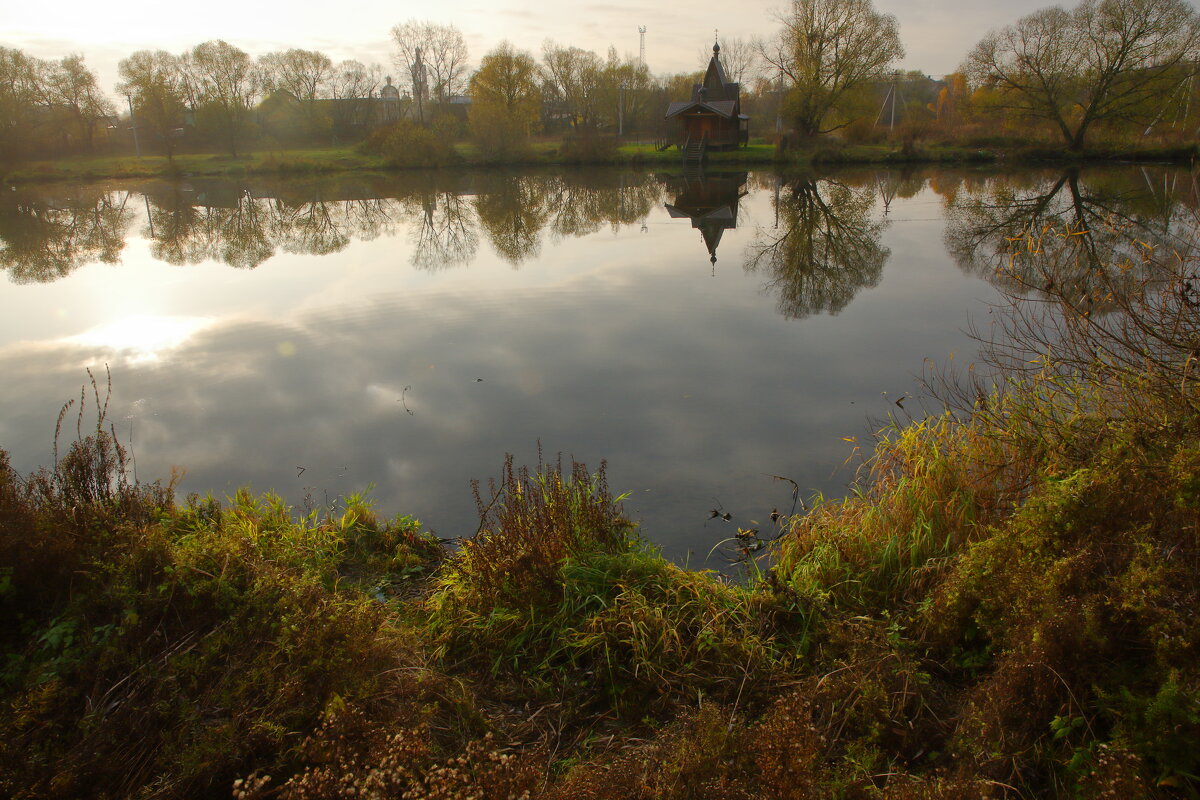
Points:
point(929, 489)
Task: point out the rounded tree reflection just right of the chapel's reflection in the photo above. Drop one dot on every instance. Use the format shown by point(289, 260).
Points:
point(824, 249)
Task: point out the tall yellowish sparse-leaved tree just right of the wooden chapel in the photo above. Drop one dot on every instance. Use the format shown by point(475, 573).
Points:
point(829, 49)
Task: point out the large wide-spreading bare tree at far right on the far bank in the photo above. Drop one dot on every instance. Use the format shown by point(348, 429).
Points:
point(1103, 61)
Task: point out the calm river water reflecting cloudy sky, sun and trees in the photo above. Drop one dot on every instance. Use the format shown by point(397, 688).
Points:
point(316, 338)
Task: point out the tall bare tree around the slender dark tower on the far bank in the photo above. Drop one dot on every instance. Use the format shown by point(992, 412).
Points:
point(433, 59)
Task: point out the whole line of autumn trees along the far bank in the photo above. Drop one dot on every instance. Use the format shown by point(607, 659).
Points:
point(1107, 73)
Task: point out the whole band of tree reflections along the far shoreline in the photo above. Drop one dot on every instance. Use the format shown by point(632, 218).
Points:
point(1029, 232)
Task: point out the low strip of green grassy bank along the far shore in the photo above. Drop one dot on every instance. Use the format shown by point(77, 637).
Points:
point(551, 153)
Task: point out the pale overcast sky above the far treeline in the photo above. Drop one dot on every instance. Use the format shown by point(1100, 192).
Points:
point(937, 34)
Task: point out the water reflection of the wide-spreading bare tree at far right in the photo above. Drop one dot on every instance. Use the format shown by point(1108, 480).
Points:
point(1076, 236)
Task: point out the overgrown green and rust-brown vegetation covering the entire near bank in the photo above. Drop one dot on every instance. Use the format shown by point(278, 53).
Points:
point(1005, 607)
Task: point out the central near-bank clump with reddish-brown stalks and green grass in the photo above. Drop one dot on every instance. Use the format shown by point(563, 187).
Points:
point(556, 585)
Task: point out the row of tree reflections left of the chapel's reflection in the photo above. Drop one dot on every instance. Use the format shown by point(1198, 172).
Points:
point(243, 226)
